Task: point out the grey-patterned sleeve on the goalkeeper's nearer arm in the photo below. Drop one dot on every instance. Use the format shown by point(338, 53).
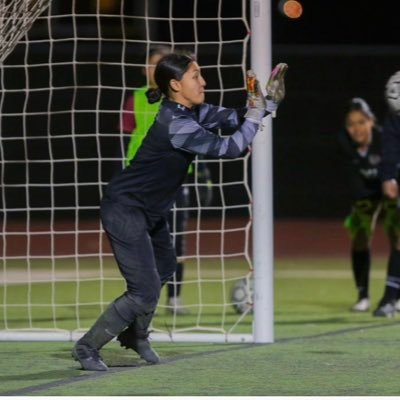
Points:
point(187, 134)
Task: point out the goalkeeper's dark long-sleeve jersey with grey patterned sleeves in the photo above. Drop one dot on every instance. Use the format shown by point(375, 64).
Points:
point(161, 163)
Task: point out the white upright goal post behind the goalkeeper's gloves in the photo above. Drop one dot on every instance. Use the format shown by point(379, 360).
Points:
point(262, 188)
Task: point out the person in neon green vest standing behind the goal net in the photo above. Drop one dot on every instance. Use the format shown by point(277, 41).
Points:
point(137, 118)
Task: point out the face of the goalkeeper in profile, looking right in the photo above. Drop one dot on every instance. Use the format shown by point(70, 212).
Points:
point(189, 91)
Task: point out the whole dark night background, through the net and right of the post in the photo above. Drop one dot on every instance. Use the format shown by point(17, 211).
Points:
point(335, 51)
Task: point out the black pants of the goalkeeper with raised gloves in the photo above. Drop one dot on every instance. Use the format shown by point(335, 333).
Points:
point(143, 250)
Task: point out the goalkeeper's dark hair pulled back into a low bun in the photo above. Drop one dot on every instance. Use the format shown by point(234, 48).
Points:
point(171, 66)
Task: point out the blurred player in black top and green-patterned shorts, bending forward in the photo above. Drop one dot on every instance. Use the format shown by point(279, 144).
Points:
point(361, 143)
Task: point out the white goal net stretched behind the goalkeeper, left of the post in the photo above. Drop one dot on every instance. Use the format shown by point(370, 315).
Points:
point(62, 93)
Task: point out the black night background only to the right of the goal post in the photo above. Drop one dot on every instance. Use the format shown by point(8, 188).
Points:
point(337, 50)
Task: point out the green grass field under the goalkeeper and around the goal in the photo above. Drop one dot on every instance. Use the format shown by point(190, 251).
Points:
point(320, 349)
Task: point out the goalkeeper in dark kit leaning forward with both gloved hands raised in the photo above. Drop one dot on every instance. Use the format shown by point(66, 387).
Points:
point(136, 203)
